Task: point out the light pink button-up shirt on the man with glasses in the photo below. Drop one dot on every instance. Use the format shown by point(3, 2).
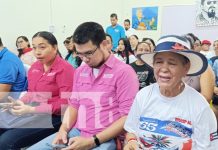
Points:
point(103, 99)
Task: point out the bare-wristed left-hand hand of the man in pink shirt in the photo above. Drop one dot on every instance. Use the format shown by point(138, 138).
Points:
point(61, 137)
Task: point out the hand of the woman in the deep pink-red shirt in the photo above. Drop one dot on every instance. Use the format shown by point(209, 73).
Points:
point(20, 108)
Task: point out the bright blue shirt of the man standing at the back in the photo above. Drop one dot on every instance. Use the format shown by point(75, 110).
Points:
point(116, 33)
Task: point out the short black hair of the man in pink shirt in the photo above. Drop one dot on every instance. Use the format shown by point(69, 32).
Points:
point(89, 31)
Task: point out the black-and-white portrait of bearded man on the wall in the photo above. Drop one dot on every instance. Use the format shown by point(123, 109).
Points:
point(208, 14)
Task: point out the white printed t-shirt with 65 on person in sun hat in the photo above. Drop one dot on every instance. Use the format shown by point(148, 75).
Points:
point(182, 122)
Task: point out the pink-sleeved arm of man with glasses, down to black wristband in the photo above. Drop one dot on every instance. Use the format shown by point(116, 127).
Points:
point(127, 82)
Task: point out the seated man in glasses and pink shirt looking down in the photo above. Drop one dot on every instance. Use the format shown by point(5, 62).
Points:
point(103, 92)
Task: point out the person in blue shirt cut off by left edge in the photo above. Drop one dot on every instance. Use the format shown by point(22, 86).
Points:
point(12, 76)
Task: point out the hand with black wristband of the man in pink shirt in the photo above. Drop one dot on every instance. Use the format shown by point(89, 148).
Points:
point(80, 143)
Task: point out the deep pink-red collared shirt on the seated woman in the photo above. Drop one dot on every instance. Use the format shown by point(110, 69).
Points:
point(45, 88)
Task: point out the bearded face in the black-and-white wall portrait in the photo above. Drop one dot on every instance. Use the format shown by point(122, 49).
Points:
point(209, 6)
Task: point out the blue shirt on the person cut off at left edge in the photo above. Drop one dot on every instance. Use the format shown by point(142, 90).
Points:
point(12, 71)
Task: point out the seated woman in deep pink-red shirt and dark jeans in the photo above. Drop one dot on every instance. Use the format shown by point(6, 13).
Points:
point(48, 78)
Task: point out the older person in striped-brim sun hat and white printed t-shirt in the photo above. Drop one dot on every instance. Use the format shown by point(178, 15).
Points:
point(170, 114)
